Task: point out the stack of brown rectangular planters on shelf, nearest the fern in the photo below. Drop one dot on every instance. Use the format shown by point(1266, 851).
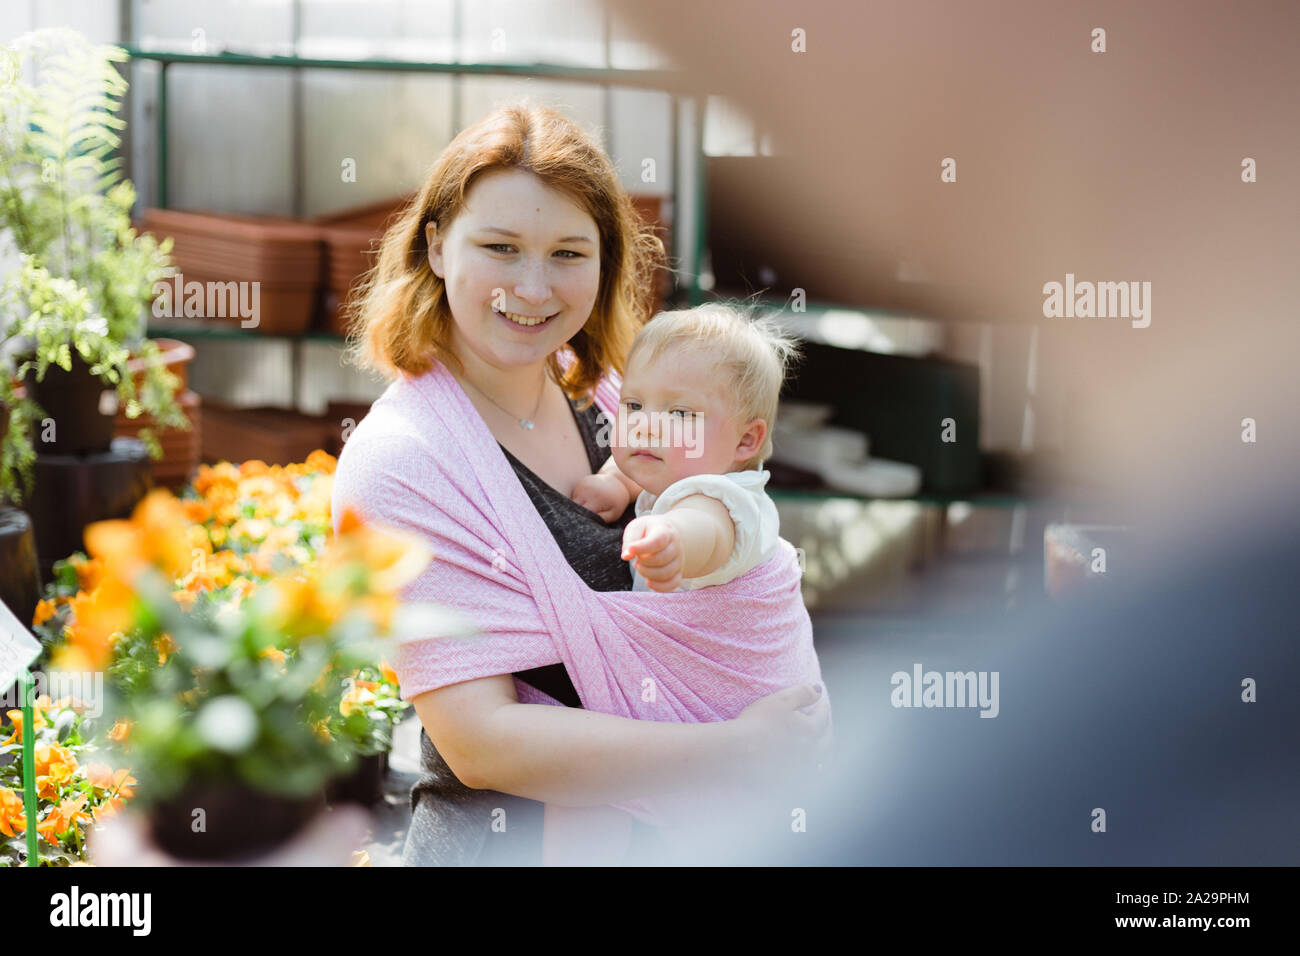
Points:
point(283, 257)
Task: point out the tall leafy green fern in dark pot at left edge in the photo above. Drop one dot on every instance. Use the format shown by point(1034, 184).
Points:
point(73, 312)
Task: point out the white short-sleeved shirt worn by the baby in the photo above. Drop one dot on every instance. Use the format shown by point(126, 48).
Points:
point(752, 511)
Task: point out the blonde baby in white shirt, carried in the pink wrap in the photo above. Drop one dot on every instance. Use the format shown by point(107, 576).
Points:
point(694, 429)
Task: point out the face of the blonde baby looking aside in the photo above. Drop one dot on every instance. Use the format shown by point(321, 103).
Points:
point(675, 421)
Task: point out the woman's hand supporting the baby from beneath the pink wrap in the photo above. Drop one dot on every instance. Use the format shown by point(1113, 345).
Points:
point(788, 730)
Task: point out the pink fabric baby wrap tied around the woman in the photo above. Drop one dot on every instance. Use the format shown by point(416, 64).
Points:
point(424, 461)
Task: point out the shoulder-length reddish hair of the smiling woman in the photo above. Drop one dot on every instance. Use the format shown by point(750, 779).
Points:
point(400, 321)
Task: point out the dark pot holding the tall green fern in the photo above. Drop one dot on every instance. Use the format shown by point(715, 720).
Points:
point(73, 401)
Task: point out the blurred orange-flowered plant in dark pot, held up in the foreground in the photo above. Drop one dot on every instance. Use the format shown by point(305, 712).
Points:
point(223, 704)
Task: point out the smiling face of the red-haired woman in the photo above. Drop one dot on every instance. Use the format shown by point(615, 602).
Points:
point(522, 265)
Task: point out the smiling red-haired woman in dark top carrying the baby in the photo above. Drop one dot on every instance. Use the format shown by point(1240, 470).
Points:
point(523, 243)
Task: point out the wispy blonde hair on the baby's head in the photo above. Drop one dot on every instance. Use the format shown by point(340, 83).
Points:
point(751, 352)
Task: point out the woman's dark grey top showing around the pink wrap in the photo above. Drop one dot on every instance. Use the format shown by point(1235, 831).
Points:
point(450, 823)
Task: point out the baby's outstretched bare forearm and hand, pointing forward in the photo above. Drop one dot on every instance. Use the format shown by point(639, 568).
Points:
point(694, 539)
